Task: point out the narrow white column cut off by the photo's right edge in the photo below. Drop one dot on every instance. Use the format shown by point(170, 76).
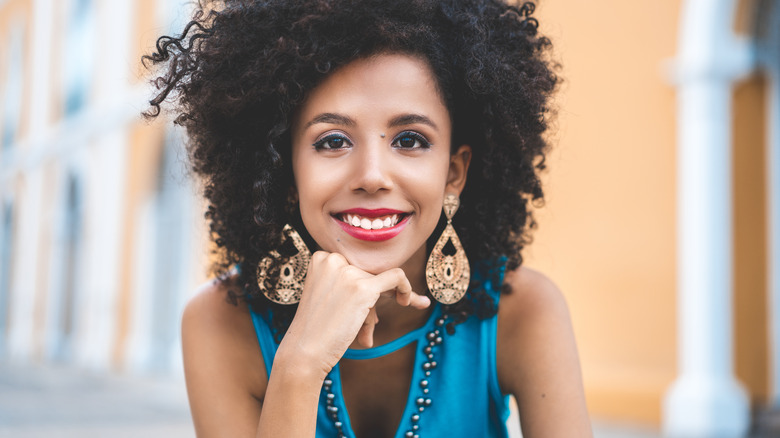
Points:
point(772, 65)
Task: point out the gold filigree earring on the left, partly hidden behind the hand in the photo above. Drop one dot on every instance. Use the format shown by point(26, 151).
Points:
point(292, 273)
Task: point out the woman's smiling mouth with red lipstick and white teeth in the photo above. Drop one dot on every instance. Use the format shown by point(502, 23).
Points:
point(372, 225)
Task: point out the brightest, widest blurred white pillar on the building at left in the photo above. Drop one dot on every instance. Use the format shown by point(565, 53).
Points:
point(106, 184)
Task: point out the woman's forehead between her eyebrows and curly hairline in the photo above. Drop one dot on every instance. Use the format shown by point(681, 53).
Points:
point(375, 87)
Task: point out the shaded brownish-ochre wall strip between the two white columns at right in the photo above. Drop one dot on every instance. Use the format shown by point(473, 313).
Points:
point(750, 237)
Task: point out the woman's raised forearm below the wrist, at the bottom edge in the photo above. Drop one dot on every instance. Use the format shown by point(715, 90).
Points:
point(291, 400)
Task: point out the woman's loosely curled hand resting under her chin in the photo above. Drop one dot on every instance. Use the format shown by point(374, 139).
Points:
point(337, 307)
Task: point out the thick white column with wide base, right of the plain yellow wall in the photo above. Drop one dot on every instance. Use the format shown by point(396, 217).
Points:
point(706, 400)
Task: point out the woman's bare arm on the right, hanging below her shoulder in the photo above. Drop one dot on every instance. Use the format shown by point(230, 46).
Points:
point(537, 358)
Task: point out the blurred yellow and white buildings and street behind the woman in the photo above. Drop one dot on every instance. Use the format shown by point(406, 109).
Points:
point(661, 225)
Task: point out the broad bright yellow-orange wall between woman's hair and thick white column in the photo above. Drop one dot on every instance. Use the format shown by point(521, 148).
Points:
point(607, 232)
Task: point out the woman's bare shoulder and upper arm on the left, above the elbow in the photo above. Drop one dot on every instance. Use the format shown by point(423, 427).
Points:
point(223, 365)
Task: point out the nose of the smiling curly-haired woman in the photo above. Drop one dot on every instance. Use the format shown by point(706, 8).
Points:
point(372, 168)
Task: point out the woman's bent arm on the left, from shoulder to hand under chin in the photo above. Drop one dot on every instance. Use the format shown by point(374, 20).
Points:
point(224, 369)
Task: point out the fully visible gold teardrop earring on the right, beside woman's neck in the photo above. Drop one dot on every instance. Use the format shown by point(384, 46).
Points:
point(448, 273)
